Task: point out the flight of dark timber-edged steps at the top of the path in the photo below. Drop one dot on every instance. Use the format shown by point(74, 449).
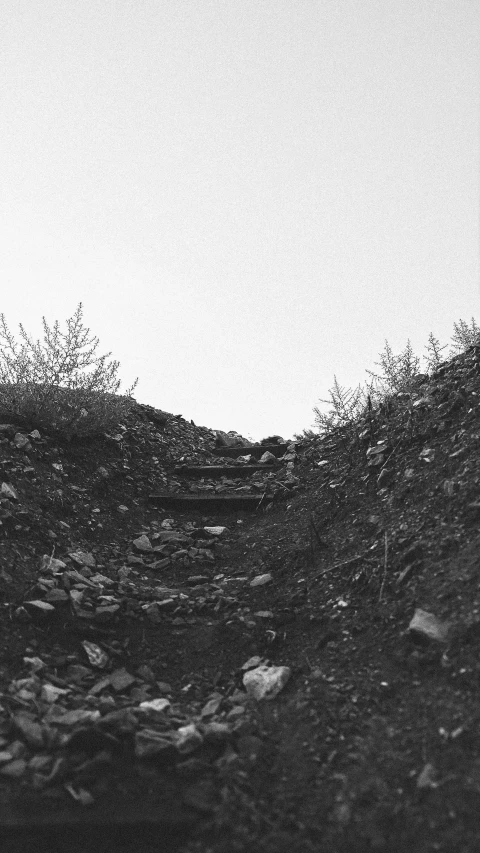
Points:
point(226, 497)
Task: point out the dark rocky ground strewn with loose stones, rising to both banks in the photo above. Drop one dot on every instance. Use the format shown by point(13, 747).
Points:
point(300, 674)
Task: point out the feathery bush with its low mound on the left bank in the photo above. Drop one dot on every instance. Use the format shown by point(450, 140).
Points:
point(60, 386)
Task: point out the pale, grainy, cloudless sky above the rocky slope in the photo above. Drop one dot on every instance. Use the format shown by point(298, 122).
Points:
point(247, 197)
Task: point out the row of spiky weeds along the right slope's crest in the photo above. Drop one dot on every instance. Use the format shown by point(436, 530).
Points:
point(399, 374)
